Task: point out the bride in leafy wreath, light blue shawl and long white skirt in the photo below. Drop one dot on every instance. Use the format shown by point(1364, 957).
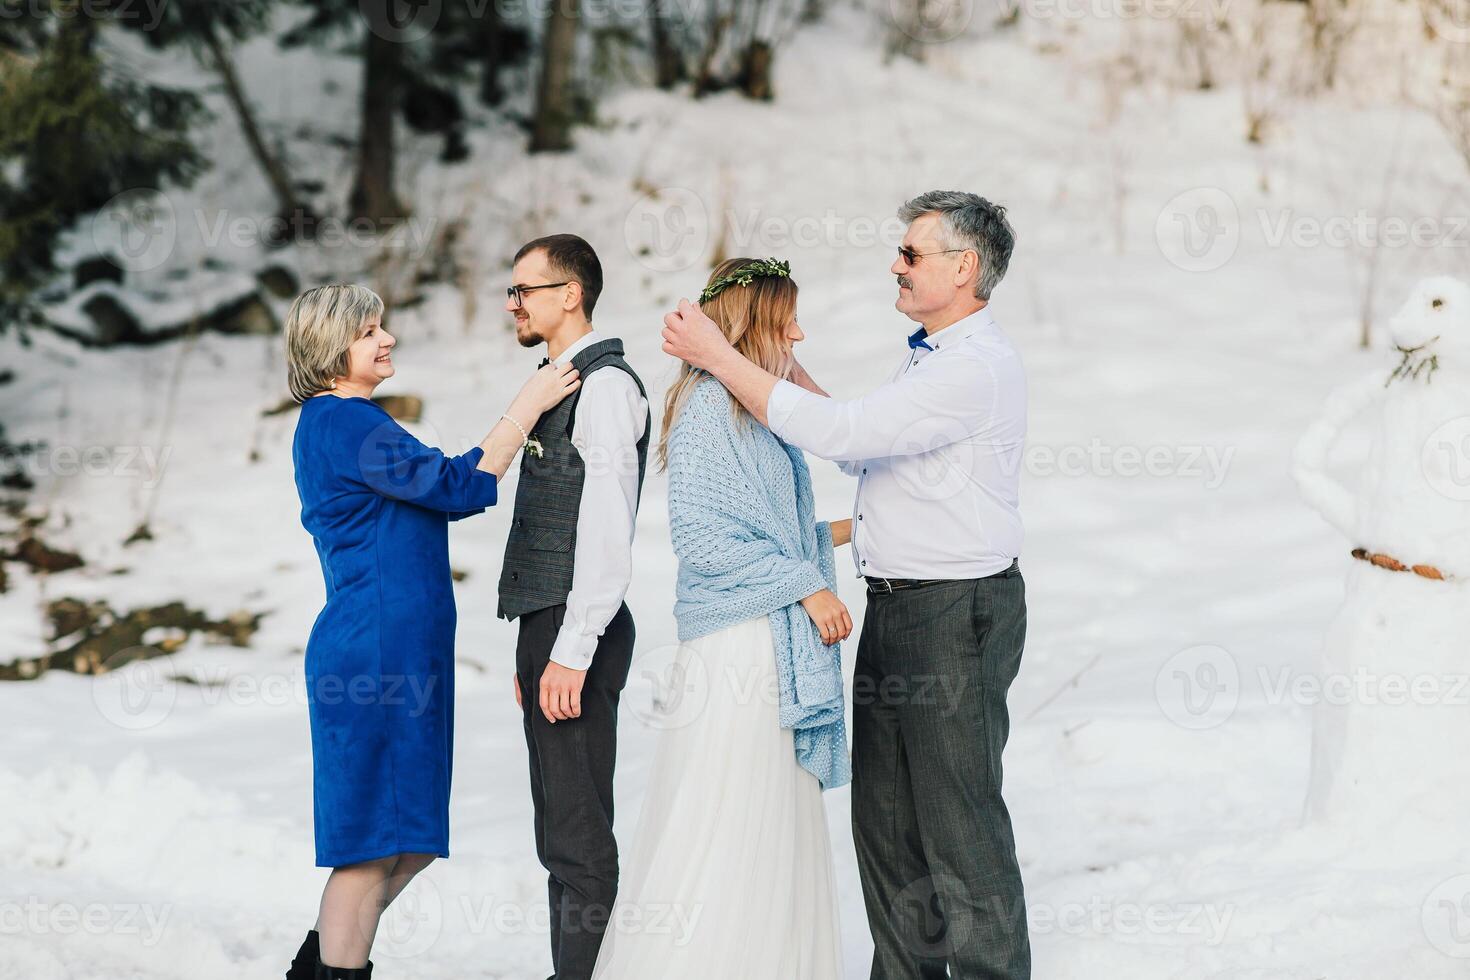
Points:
point(731, 871)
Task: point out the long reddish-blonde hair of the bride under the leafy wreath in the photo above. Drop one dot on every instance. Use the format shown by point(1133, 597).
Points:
point(753, 320)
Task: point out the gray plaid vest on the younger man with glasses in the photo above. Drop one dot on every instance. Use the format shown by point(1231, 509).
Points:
point(543, 531)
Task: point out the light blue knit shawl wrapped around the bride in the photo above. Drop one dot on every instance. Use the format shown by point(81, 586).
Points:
point(743, 524)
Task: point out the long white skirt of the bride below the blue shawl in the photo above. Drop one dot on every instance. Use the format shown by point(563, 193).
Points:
point(730, 876)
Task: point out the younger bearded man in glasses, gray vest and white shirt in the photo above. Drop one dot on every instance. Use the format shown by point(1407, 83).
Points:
point(568, 568)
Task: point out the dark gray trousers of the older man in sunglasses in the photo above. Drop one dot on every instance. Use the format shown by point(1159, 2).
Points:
point(934, 840)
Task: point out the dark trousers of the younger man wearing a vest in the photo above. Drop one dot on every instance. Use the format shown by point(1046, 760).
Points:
point(573, 785)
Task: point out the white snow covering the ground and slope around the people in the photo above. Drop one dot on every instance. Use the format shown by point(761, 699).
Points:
point(161, 829)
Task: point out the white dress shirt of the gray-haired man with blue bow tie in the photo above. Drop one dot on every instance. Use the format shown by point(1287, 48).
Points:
point(937, 453)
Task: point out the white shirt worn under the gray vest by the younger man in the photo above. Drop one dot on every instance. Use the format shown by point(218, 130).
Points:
point(611, 419)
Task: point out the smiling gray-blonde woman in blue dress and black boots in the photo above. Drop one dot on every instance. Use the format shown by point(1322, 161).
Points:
point(380, 662)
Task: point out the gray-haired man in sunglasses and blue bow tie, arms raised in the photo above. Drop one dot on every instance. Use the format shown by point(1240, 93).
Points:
point(936, 534)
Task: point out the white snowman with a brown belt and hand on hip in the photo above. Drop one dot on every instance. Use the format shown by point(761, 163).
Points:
point(1391, 725)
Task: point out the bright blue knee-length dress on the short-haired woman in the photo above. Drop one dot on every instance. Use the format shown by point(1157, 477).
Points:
point(380, 663)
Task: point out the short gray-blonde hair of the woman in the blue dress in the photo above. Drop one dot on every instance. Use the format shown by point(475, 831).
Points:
point(321, 327)
